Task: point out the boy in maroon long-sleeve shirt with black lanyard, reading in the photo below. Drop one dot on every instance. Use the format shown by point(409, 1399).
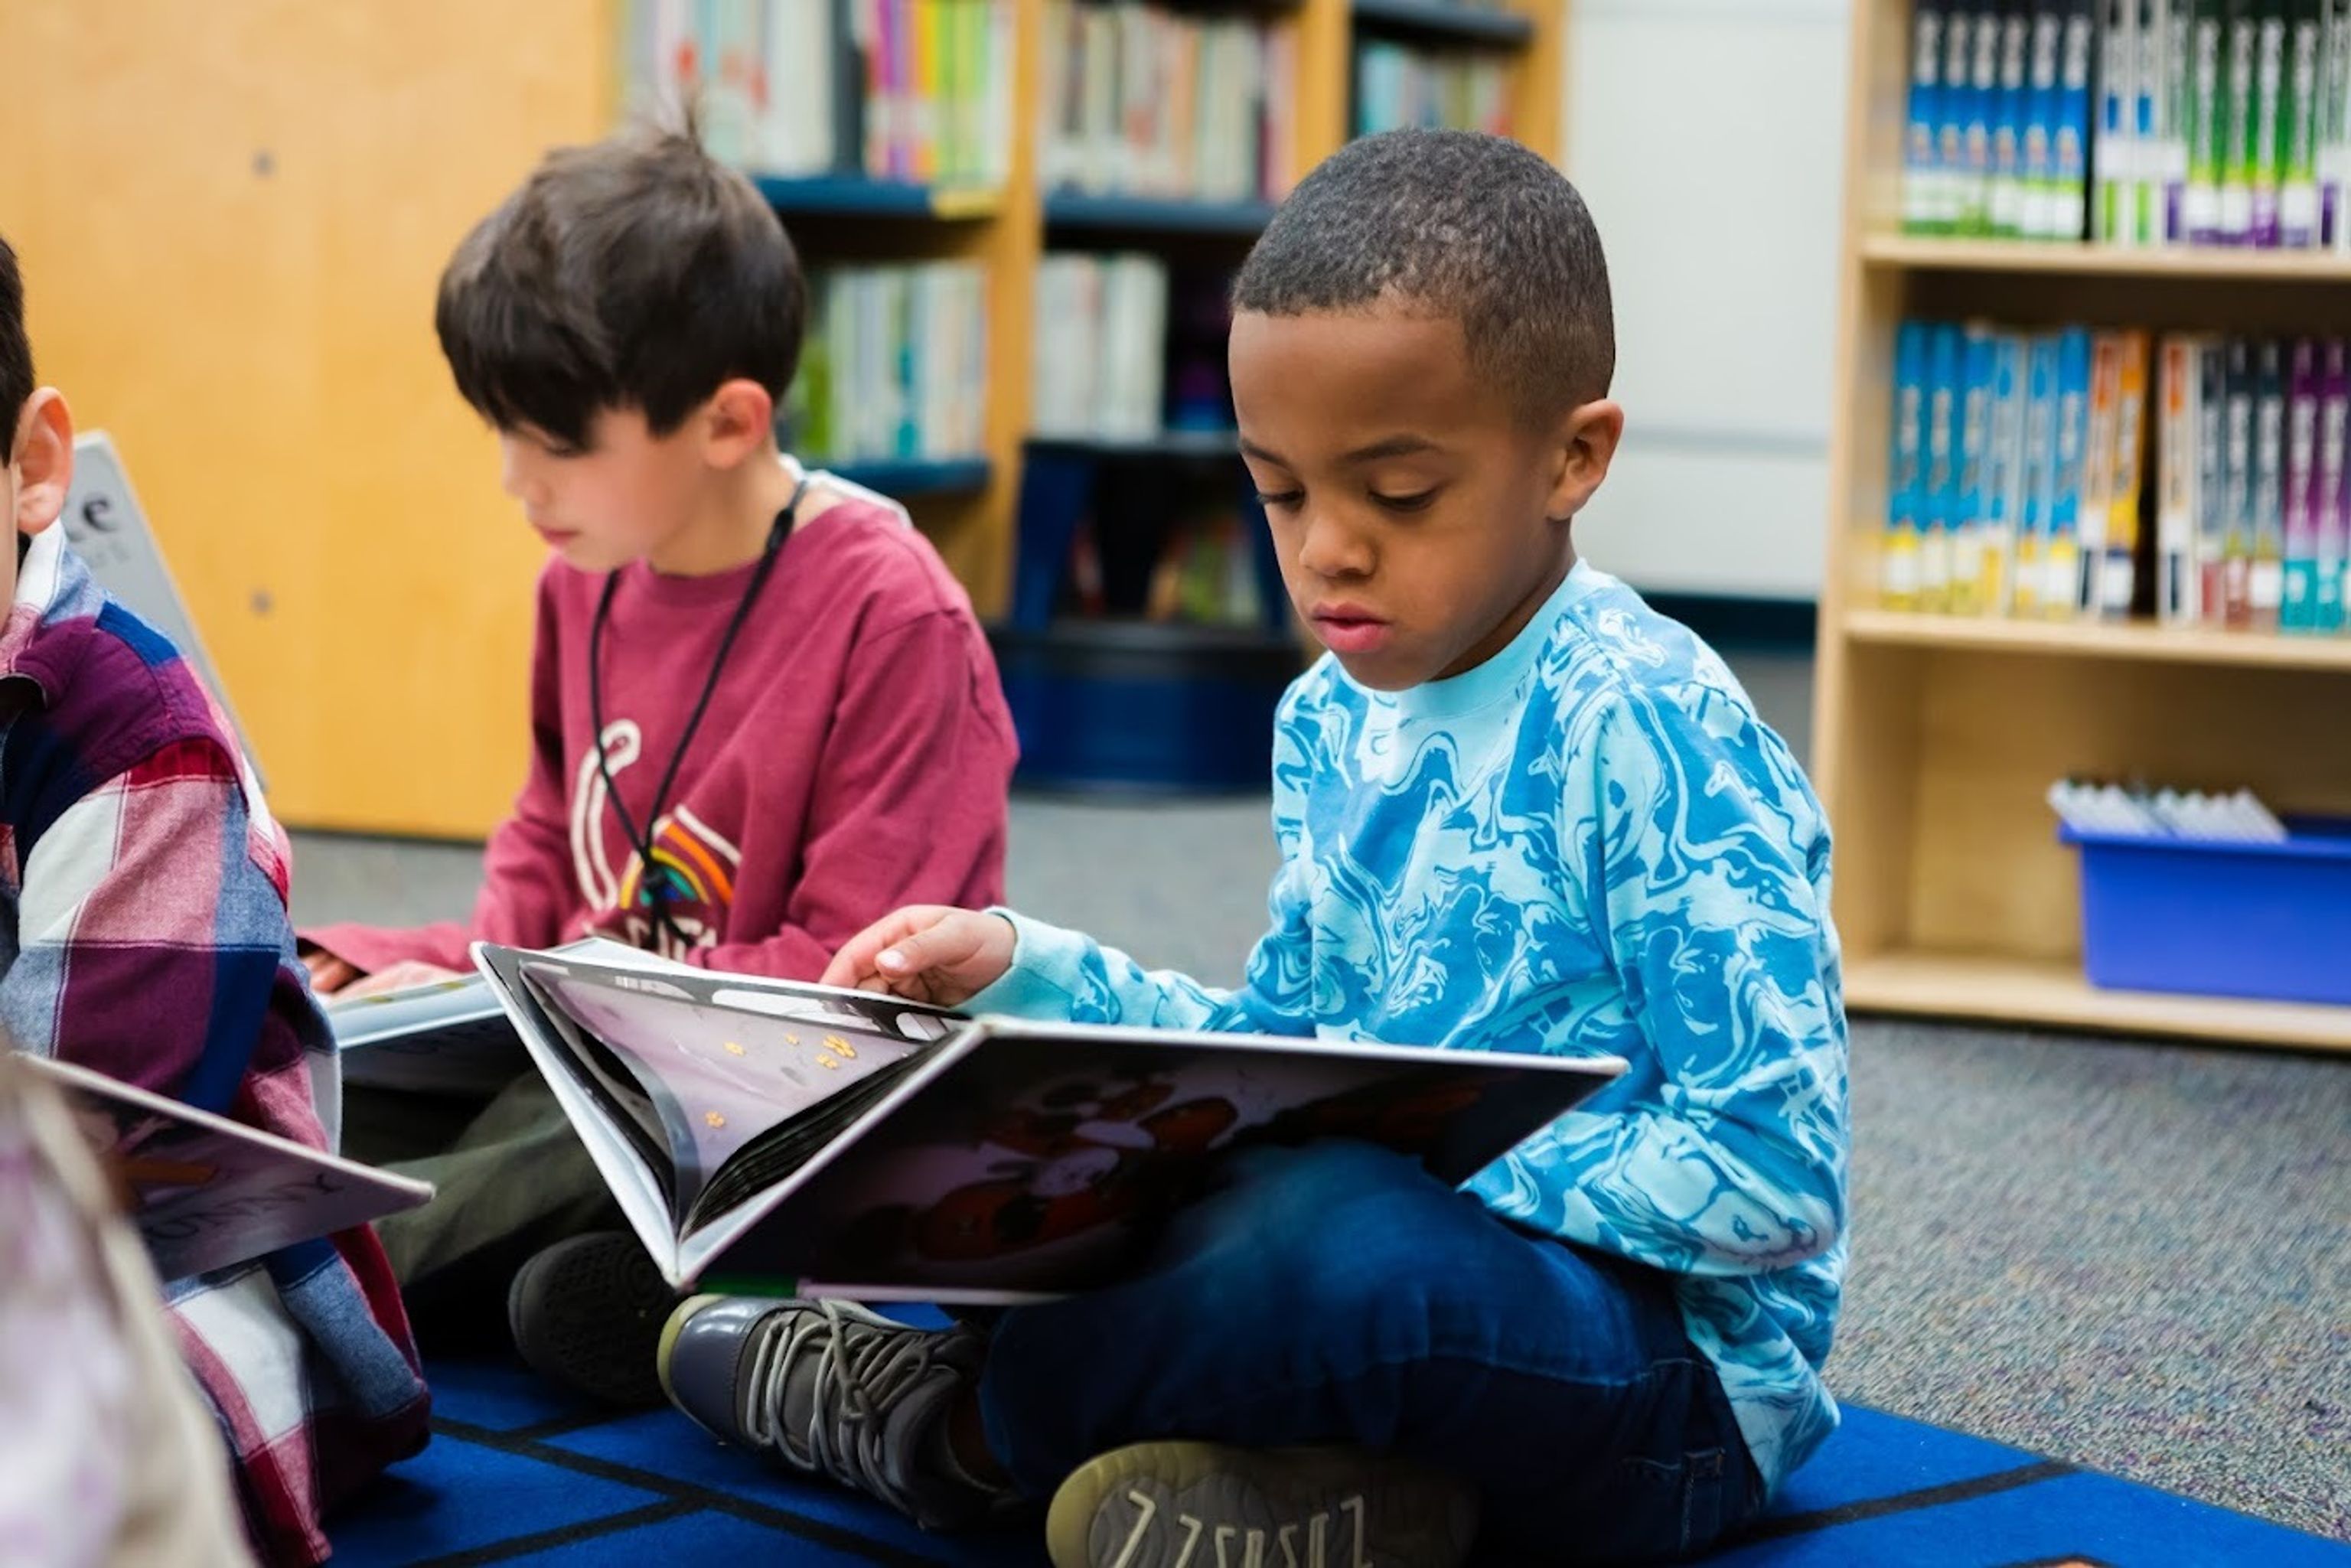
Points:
point(763, 711)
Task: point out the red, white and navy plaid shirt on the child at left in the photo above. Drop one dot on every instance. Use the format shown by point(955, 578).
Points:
point(147, 937)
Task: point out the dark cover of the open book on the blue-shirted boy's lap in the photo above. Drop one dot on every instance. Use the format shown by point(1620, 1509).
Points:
point(1045, 1158)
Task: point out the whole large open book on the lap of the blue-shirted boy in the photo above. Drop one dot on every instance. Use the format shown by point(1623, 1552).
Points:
point(791, 1139)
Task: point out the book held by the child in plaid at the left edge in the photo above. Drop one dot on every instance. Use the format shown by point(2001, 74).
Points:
point(208, 1193)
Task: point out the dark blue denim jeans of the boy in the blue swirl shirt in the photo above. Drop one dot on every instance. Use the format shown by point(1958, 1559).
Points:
point(1339, 1294)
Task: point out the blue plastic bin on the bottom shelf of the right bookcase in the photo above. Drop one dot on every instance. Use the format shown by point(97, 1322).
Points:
point(2221, 920)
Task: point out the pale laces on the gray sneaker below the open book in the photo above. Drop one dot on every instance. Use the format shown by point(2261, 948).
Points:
point(862, 1374)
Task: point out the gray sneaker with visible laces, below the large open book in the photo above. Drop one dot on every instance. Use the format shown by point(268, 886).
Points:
point(831, 1391)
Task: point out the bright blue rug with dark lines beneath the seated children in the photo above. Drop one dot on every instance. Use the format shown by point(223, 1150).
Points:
point(521, 1475)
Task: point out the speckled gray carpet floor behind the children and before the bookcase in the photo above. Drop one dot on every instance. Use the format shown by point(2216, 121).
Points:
point(2117, 1254)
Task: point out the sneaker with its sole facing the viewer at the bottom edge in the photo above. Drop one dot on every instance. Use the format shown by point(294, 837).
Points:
point(1158, 1506)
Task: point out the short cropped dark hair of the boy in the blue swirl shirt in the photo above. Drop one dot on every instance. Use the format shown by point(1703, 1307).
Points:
point(1456, 225)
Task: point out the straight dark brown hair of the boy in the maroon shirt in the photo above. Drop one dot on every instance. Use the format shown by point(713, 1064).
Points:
point(631, 274)
